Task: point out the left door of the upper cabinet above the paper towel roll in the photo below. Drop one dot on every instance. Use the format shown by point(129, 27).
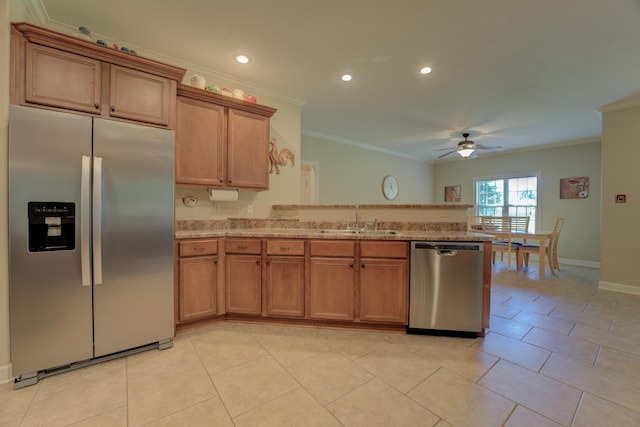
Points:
point(199, 143)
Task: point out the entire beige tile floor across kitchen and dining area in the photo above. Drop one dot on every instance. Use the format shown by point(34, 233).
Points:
point(560, 353)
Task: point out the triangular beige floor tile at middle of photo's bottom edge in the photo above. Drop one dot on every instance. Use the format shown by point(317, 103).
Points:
point(293, 409)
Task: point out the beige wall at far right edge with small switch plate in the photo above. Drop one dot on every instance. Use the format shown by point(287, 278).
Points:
point(620, 232)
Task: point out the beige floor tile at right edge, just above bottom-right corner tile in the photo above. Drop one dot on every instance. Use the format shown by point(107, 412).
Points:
point(620, 389)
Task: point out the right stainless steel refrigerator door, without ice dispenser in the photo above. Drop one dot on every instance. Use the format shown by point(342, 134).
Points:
point(133, 305)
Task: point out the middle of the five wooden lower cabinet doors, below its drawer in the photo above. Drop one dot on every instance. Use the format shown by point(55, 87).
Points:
point(285, 286)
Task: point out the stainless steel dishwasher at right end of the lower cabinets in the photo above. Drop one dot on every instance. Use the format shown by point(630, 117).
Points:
point(445, 291)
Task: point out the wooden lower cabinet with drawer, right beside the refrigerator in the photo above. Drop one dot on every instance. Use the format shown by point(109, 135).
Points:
point(198, 279)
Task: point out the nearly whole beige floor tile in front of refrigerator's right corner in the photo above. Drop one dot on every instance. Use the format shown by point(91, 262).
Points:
point(156, 395)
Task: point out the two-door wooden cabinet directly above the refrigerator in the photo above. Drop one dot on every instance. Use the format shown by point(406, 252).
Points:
point(54, 70)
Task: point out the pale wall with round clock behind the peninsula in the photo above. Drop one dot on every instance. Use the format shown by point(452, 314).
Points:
point(350, 174)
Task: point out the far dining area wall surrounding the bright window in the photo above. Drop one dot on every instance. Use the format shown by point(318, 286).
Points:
point(580, 239)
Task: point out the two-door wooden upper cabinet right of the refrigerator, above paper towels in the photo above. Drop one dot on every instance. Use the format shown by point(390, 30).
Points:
point(221, 141)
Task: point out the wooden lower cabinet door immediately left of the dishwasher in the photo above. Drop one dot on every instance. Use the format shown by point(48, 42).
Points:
point(383, 290)
